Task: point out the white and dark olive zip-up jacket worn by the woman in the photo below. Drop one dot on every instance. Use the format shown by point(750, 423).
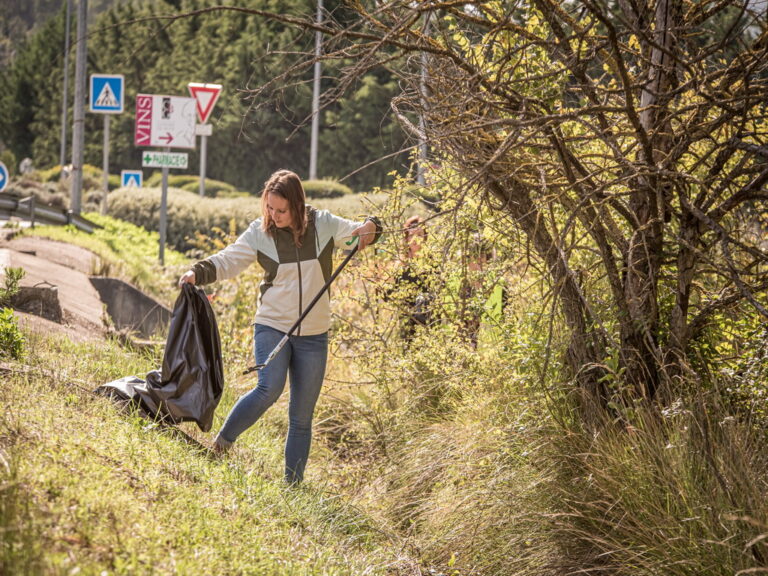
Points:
point(293, 274)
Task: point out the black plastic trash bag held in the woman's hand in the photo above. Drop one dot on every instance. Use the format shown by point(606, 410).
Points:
point(190, 383)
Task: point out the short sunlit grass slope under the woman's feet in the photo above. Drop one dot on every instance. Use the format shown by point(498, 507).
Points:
point(86, 486)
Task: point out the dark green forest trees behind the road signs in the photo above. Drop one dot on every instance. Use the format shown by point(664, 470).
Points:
point(224, 45)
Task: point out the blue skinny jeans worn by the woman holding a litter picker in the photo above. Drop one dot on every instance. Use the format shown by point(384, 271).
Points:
point(304, 358)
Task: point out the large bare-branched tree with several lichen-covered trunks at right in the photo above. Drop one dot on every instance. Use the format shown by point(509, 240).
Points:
point(626, 140)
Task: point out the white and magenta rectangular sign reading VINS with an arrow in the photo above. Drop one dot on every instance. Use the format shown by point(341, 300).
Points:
point(165, 121)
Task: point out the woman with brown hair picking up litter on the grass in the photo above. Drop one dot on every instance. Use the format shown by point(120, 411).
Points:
point(294, 244)
